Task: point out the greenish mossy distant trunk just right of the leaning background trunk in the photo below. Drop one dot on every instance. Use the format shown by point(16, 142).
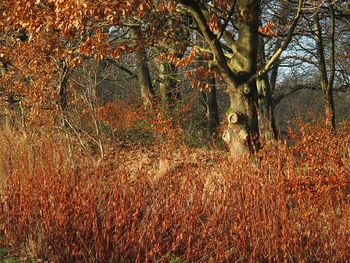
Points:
point(169, 92)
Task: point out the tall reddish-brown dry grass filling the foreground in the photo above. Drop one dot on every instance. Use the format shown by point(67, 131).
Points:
point(290, 204)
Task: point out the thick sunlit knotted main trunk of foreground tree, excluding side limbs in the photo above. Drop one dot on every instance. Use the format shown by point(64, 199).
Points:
point(242, 133)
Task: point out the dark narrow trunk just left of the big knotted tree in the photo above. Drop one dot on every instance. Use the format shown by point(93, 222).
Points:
point(211, 109)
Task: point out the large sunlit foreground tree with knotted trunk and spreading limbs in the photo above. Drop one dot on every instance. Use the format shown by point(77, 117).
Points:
point(238, 67)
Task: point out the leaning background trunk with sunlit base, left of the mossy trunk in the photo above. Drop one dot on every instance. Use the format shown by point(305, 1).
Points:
point(143, 73)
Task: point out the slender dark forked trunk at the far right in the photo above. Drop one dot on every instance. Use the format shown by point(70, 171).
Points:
point(325, 82)
